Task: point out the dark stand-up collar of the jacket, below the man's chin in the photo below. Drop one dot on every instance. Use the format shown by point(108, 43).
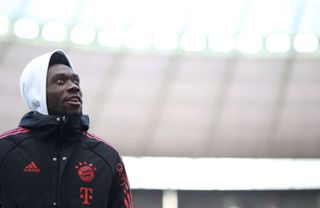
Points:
point(66, 127)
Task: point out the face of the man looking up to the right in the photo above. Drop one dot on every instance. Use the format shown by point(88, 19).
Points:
point(64, 96)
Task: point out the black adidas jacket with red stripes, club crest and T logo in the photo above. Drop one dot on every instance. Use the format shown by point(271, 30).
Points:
point(52, 161)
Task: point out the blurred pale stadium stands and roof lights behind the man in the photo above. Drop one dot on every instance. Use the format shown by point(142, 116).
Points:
point(212, 103)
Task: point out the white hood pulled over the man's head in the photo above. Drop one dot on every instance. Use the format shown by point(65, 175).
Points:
point(33, 79)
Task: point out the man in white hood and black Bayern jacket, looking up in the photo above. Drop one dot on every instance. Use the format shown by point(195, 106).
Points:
point(51, 160)
